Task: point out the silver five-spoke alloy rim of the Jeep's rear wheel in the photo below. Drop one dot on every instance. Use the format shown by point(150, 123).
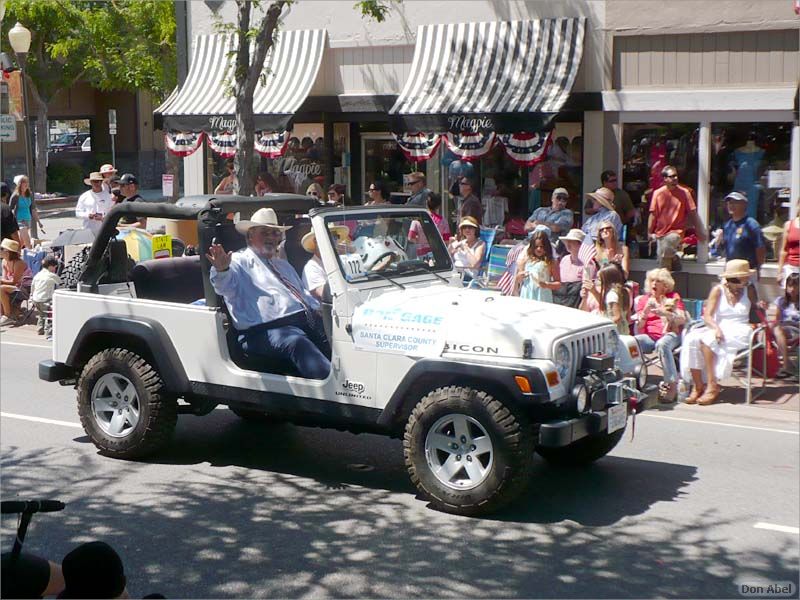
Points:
point(115, 405)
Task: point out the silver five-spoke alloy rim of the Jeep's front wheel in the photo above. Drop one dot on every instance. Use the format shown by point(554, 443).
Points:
point(459, 452)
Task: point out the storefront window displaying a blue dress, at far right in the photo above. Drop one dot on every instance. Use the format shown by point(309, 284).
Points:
point(754, 159)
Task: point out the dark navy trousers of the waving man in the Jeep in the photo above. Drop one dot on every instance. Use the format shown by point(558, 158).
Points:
point(298, 338)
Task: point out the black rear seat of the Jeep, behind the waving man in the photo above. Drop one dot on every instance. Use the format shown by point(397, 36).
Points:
point(169, 279)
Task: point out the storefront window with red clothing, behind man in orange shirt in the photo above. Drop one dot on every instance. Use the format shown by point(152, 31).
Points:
point(646, 149)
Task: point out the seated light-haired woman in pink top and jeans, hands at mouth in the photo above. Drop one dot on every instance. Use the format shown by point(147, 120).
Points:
point(659, 318)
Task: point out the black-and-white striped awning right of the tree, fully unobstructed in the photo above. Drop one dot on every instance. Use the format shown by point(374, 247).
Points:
point(501, 76)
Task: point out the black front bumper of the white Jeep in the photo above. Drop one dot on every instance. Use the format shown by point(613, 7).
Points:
point(611, 394)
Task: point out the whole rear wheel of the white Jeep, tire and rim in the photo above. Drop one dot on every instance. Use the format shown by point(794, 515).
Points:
point(123, 406)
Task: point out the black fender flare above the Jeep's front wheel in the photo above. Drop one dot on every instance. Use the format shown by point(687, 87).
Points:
point(500, 379)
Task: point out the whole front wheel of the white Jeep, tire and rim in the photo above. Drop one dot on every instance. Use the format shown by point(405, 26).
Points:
point(467, 452)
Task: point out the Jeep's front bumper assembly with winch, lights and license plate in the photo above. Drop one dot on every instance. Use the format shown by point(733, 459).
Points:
point(602, 397)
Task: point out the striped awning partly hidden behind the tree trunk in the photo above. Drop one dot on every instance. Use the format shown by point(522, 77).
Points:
point(203, 103)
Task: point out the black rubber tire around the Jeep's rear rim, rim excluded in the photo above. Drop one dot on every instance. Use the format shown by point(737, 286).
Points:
point(158, 410)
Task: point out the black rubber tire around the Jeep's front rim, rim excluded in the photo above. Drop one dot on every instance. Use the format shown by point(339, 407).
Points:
point(512, 444)
